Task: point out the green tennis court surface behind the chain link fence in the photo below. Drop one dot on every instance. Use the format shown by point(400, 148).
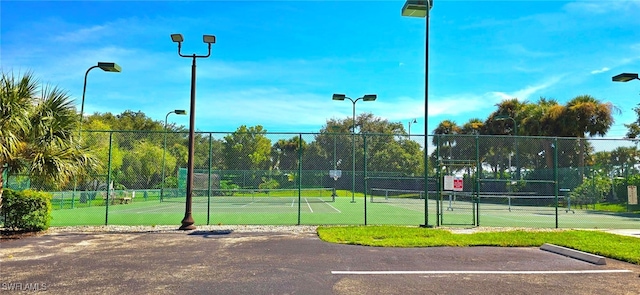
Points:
point(320, 207)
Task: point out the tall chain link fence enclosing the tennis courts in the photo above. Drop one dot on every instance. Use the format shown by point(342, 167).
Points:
point(345, 178)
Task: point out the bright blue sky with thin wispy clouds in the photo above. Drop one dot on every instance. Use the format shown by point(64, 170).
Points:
point(277, 63)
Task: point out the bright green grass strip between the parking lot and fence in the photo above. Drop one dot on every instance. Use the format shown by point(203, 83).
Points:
point(614, 246)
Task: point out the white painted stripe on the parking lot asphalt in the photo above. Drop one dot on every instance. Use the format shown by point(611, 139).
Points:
point(490, 272)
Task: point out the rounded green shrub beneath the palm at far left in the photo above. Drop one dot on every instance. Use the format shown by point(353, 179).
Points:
point(26, 210)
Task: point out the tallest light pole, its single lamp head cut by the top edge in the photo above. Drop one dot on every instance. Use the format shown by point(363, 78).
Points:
point(422, 8)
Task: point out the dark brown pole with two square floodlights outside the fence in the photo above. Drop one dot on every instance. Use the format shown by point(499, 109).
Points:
point(187, 221)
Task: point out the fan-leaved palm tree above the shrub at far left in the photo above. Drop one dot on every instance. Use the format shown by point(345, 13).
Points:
point(38, 135)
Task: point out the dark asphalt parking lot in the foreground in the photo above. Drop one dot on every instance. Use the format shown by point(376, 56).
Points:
point(229, 262)
